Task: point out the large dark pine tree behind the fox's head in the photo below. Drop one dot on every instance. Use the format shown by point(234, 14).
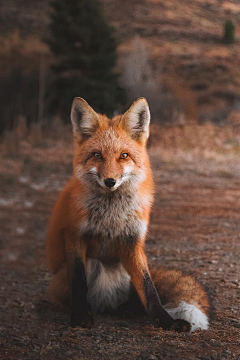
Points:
point(85, 53)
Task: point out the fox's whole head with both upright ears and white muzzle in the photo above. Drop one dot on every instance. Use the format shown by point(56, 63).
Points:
point(110, 153)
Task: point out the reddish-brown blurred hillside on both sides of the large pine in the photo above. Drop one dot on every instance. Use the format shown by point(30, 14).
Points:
point(184, 38)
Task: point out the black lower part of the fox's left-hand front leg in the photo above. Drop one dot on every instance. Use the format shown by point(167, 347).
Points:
point(79, 308)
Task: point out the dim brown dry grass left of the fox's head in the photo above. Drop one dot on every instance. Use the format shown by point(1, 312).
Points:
point(40, 144)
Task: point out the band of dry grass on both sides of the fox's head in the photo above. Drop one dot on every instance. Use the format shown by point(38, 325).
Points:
point(188, 142)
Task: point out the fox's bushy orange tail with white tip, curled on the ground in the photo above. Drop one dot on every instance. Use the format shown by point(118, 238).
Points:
point(182, 297)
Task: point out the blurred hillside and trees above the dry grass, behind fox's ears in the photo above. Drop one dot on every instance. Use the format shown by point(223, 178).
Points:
point(184, 57)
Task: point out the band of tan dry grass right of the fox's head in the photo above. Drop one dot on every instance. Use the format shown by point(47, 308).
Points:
point(192, 141)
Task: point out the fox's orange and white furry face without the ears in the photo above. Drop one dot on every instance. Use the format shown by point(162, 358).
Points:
point(111, 141)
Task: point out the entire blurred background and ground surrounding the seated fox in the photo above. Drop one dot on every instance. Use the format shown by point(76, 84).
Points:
point(184, 57)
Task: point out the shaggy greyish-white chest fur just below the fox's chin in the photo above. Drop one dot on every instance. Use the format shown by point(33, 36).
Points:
point(114, 216)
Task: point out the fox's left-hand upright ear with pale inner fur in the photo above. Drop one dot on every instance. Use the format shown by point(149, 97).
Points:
point(85, 120)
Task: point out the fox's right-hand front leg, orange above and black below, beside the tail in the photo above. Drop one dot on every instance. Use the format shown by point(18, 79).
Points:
point(136, 265)
